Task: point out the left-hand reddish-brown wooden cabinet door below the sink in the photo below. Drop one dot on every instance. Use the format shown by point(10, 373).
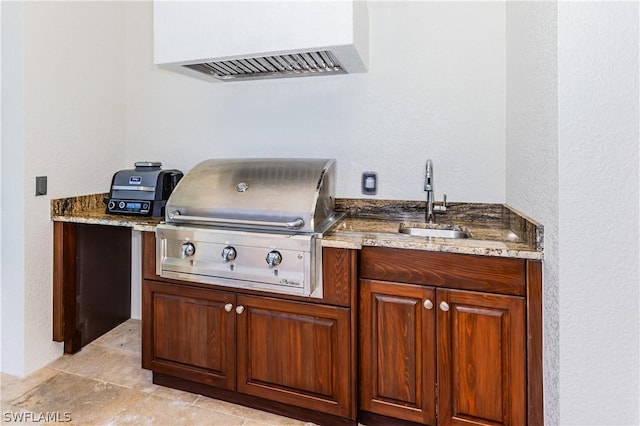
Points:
point(397, 350)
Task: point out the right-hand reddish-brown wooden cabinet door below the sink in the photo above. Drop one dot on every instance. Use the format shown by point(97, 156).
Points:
point(481, 359)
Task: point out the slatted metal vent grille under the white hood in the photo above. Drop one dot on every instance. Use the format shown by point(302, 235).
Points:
point(291, 65)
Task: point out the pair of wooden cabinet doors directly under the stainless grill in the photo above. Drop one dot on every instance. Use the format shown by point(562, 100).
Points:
point(287, 351)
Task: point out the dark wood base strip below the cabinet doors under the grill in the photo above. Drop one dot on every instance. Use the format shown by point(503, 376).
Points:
point(251, 401)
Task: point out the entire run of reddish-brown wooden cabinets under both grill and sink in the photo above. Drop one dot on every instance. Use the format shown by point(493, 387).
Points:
point(401, 336)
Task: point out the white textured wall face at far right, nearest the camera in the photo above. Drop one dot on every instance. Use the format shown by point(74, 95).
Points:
point(599, 143)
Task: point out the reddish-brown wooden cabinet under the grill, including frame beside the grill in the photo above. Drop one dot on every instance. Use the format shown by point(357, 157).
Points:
point(287, 351)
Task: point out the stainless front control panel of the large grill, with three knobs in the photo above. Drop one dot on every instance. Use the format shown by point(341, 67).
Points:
point(296, 274)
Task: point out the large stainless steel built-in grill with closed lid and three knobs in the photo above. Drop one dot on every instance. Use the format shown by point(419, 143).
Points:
point(253, 223)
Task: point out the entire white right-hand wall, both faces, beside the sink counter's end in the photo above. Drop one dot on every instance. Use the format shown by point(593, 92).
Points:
point(572, 159)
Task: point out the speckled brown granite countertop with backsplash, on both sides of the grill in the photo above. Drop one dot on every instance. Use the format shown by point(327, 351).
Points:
point(496, 229)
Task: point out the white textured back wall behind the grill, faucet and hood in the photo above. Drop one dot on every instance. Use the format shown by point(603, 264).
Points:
point(435, 89)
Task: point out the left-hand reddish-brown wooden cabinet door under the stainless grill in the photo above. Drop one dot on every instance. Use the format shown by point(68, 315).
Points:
point(189, 333)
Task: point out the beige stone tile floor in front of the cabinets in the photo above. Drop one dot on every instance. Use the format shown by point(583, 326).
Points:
point(104, 385)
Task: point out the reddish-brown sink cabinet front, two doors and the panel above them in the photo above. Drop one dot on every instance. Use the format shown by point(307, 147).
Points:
point(438, 355)
